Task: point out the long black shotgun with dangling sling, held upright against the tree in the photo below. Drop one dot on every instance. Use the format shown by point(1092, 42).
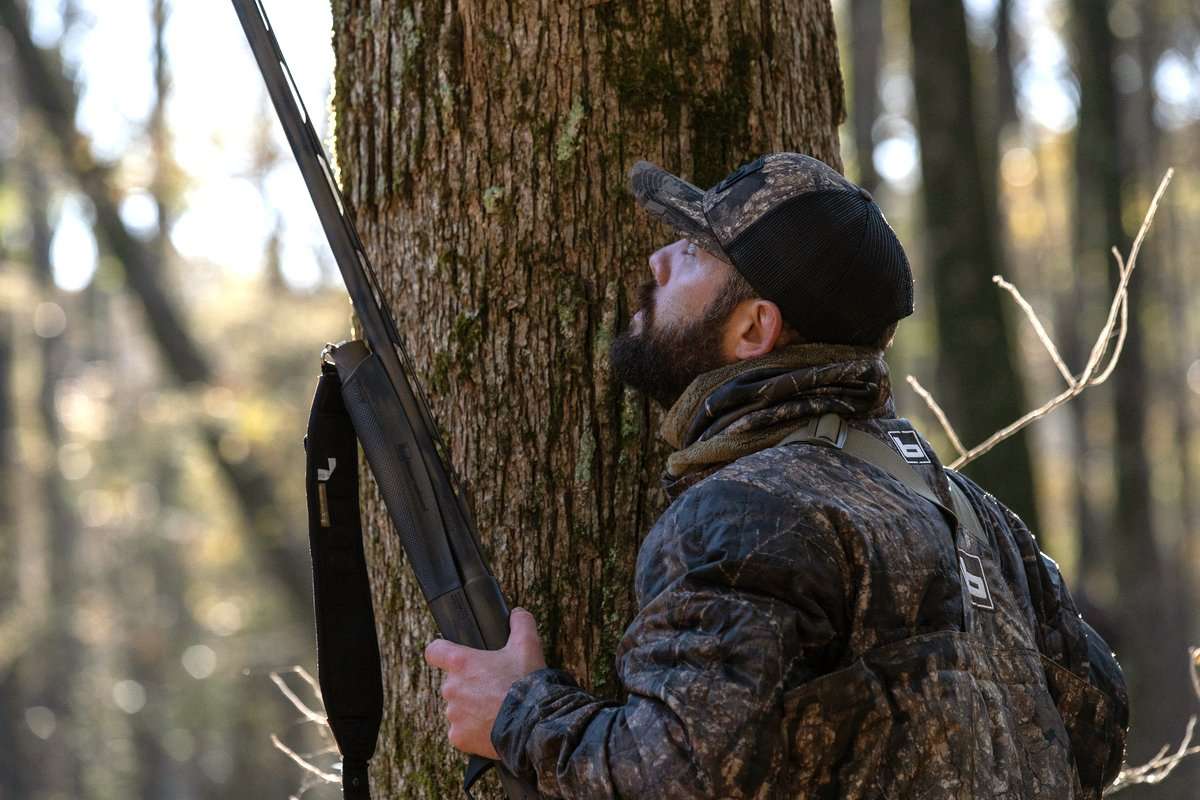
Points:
point(392, 419)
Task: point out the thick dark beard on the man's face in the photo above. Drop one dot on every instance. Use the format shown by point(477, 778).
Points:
point(664, 363)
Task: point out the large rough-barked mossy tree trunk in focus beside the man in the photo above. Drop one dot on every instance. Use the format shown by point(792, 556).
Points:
point(485, 151)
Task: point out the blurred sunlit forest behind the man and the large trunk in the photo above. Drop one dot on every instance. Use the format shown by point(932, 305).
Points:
point(165, 293)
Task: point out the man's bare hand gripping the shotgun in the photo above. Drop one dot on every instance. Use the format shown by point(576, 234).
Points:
point(478, 681)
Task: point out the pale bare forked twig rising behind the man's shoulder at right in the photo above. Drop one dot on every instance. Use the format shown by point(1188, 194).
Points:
point(1093, 376)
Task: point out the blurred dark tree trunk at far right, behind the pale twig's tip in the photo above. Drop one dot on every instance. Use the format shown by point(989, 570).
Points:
point(1148, 612)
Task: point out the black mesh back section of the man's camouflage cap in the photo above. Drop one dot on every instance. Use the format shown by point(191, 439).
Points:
point(832, 264)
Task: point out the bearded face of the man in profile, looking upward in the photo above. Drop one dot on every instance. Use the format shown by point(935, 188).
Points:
point(675, 335)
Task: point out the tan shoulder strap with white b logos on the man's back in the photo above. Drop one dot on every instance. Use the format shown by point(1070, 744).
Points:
point(831, 431)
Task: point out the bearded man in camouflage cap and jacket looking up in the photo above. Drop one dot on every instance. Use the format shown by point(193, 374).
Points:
point(824, 610)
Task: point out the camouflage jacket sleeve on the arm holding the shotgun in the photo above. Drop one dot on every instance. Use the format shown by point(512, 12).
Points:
point(739, 597)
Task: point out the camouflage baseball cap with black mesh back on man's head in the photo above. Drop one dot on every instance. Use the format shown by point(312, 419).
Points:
point(803, 236)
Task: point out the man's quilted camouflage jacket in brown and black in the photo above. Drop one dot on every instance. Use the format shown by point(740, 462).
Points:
point(803, 633)
